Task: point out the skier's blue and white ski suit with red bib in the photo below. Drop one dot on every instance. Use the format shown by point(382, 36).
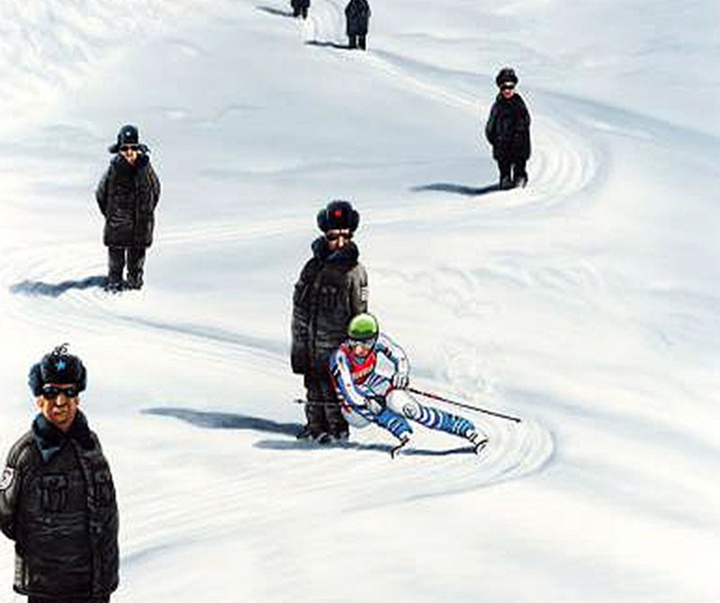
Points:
point(367, 394)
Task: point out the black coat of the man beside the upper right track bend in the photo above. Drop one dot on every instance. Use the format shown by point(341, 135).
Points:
point(508, 129)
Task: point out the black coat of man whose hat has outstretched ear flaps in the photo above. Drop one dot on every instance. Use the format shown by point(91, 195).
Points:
point(127, 196)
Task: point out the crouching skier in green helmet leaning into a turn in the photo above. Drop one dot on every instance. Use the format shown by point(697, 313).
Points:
point(371, 396)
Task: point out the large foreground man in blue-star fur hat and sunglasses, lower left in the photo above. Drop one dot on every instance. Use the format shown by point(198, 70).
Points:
point(57, 499)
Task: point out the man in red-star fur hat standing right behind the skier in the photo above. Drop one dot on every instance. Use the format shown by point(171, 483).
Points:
point(331, 290)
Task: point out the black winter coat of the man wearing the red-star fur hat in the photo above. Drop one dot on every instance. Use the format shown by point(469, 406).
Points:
point(332, 288)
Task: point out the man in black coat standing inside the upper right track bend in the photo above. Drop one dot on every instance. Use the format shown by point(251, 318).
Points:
point(508, 131)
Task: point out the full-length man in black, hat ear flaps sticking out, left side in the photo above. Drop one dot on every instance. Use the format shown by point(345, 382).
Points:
point(127, 196)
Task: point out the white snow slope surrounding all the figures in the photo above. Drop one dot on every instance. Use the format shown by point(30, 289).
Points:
point(588, 303)
